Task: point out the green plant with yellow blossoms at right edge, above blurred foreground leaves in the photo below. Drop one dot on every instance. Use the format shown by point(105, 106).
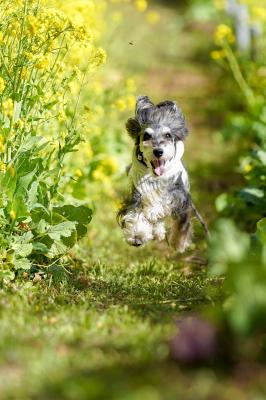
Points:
point(248, 126)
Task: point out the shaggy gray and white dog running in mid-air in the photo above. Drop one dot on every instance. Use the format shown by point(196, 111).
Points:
point(159, 180)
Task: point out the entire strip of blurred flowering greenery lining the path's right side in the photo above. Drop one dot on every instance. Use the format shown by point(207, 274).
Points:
point(234, 251)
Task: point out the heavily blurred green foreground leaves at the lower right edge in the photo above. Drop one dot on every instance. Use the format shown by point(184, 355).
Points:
point(243, 260)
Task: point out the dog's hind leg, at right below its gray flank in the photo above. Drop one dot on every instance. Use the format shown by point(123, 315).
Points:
point(181, 233)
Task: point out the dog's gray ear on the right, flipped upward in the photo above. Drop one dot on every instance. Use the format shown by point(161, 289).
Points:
point(175, 118)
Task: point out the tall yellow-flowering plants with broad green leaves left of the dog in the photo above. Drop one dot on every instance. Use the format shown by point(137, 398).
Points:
point(39, 46)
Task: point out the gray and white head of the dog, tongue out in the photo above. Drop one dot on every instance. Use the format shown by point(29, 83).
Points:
point(159, 131)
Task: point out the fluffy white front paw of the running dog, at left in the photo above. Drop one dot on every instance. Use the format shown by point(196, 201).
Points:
point(137, 229)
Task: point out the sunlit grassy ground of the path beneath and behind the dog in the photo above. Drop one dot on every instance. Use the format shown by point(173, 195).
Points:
point(104, 334)
